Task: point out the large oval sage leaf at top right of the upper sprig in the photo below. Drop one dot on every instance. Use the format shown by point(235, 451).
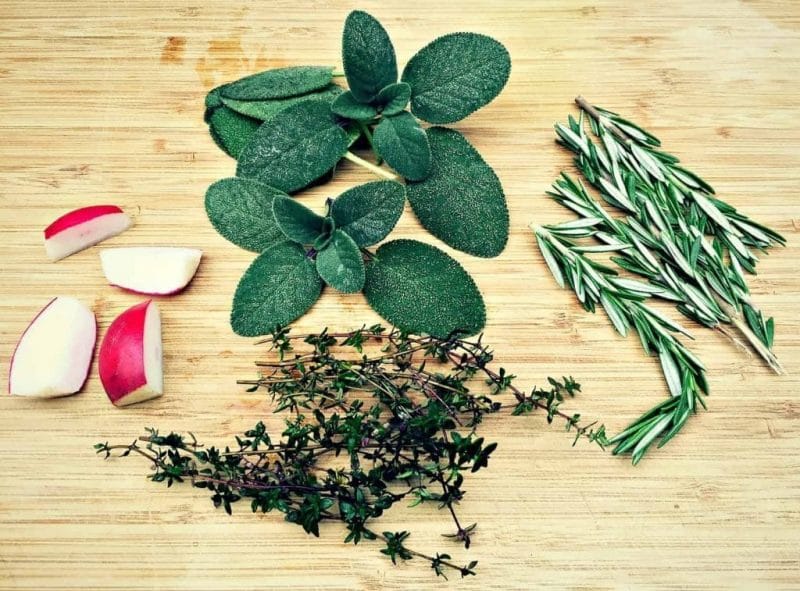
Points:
point(456, 75)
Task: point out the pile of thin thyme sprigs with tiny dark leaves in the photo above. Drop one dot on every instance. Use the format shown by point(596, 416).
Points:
point(377, 417)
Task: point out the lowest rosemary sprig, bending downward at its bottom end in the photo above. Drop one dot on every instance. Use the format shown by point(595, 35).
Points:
point(623, 301)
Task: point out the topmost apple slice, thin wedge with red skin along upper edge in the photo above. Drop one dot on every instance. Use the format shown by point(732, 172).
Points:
point(83, 228)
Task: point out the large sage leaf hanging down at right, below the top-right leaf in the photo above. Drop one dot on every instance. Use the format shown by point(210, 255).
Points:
point(461, 202)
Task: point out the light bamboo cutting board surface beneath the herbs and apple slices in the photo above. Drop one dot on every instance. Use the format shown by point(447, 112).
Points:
point(102, 102)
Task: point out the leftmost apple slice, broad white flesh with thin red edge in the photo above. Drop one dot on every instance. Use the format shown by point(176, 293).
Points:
point(53, 355)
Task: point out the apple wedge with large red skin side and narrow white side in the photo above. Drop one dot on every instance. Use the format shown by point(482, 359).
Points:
point(130, 356)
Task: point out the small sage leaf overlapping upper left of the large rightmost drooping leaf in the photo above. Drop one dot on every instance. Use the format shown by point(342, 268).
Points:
point(403, 144)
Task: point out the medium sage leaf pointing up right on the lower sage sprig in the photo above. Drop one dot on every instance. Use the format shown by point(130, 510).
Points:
point(367, 213)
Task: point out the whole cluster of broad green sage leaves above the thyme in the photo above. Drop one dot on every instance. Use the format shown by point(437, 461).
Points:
point(289, 128)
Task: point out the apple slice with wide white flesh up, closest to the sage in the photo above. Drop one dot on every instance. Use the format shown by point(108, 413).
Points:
point(153, 270)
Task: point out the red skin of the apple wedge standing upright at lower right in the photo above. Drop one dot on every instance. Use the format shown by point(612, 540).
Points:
point(121, 359)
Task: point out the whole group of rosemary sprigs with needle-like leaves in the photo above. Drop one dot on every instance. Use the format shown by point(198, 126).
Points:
point(691, 248)
